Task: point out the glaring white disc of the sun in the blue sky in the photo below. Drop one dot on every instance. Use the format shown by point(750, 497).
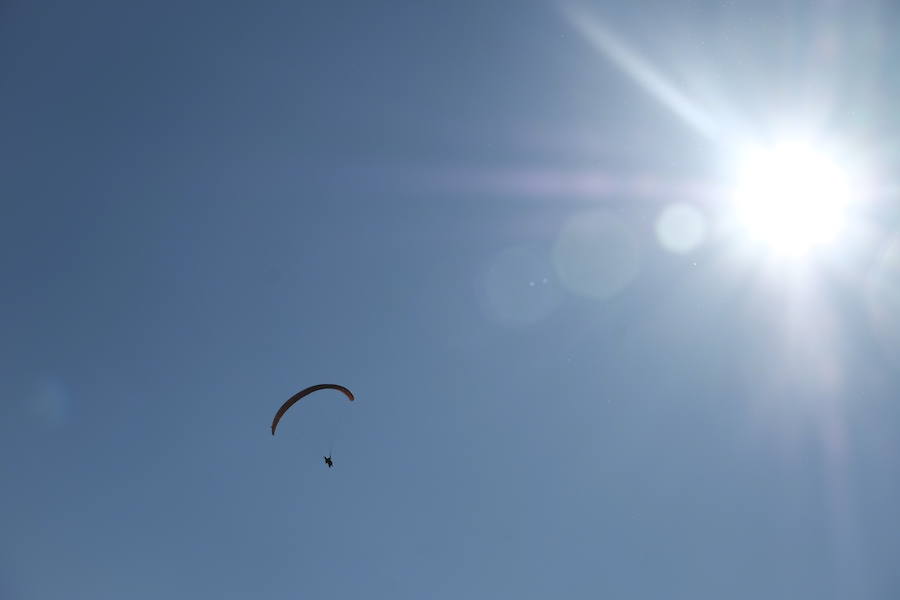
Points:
point(792, 196)
